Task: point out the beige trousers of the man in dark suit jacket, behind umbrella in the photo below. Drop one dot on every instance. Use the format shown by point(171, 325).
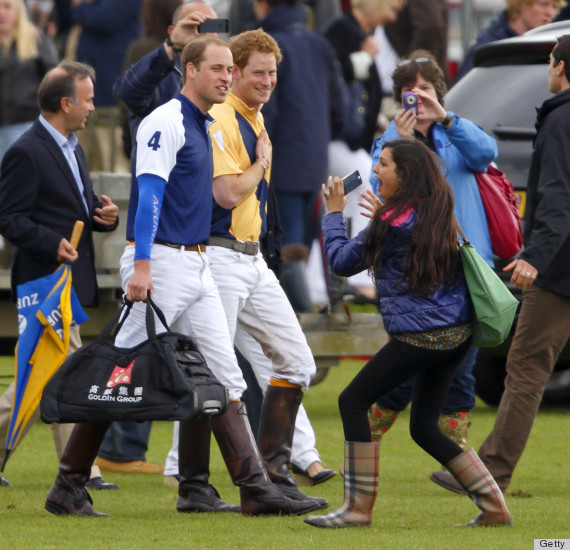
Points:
point(60, 432)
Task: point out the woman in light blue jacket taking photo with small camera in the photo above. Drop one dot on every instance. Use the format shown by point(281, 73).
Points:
point(463, 148)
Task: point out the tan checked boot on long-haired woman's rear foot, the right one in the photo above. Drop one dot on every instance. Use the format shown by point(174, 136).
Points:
point(478, 483)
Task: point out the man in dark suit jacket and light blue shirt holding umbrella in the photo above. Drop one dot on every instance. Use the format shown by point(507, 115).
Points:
point(44, 188)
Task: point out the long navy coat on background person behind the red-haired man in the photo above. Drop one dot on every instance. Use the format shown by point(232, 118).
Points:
point(308, 106)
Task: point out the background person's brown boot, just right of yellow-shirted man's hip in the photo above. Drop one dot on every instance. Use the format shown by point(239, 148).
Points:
point(293, 278)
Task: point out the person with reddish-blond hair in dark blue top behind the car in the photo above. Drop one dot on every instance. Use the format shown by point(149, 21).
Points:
point(519, 17)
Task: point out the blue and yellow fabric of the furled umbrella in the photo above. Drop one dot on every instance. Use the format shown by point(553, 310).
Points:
point(47, 307)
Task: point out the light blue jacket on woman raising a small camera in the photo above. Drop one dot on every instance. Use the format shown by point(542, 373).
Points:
point(464, 148)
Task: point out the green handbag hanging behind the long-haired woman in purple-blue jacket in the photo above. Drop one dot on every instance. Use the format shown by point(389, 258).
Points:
point(494, 307)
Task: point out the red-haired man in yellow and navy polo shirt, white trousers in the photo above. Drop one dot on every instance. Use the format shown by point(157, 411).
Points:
point(259, 314)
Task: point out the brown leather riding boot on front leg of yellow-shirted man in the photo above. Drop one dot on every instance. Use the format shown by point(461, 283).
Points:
point(275, 439)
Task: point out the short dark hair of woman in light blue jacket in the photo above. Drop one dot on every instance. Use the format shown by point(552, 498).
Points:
point(419, 62)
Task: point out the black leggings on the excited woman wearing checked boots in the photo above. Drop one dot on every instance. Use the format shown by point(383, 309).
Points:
point(395, 363)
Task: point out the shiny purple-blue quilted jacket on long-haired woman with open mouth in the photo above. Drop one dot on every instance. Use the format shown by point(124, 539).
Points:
point(401, 312)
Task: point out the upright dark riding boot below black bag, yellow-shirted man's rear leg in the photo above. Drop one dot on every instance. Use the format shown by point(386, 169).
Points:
point(195, 494)
